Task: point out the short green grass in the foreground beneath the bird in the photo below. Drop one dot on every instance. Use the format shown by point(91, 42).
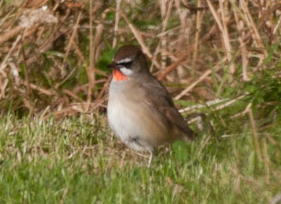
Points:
point(77, 160)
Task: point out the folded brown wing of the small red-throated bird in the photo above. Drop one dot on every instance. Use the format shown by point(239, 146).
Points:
point(158, 98)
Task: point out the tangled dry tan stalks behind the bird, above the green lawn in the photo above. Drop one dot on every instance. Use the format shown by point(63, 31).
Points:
point(53, 53)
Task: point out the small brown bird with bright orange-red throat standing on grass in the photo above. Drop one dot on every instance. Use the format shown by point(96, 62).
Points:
point(140, 110)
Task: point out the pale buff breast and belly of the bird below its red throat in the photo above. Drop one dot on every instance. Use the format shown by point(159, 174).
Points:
point(132, 120)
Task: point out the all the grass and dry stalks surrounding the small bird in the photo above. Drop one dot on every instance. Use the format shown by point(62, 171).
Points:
point(77, 159)
